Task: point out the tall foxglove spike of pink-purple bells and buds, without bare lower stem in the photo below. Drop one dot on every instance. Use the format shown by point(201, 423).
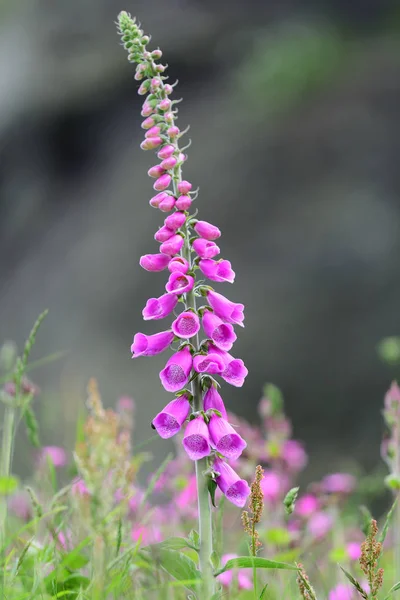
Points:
point(187, 249)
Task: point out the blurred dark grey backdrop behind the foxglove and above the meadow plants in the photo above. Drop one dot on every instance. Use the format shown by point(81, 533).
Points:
point(294, 110)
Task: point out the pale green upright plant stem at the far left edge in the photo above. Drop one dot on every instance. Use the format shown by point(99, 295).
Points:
point(5, 470)
